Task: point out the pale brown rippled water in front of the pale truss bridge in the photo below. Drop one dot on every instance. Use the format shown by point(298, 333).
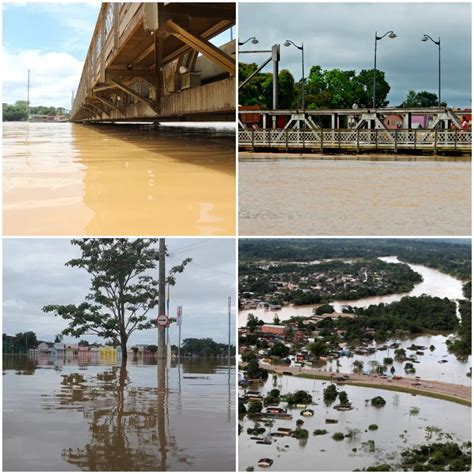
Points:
point(313, 197)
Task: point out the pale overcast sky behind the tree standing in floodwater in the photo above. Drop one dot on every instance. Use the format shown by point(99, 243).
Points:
point(35, 275)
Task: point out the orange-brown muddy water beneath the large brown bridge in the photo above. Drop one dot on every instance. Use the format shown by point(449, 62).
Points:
point(70, 179)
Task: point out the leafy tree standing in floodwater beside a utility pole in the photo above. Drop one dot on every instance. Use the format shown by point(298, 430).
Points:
point(122, 292)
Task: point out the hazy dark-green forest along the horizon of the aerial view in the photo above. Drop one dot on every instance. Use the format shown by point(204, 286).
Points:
point(452, 256)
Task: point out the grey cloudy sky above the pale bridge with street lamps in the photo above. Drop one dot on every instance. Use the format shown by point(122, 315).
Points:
point(341, 35)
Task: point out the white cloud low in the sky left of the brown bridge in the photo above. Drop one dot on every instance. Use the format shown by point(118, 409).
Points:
point(53, 75)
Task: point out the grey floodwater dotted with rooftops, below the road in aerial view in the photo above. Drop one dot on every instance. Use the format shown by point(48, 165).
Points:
point(399, 427)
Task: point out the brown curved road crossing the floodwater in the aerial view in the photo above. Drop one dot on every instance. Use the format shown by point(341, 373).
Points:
point(454, 392)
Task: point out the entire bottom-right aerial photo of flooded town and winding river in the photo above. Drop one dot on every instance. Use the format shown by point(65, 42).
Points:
point(354, 354)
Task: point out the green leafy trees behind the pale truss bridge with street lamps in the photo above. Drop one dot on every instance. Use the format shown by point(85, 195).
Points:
point(324, 89)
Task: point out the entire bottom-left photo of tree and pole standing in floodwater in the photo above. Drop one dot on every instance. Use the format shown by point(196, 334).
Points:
point(90, 386)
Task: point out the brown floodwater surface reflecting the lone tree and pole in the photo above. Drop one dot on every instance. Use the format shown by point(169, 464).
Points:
point(102, 418)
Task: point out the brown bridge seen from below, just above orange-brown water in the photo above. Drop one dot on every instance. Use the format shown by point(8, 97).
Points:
point(156, 61)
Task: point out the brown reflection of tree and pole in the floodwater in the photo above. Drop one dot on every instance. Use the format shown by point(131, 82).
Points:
point(128, 425)
